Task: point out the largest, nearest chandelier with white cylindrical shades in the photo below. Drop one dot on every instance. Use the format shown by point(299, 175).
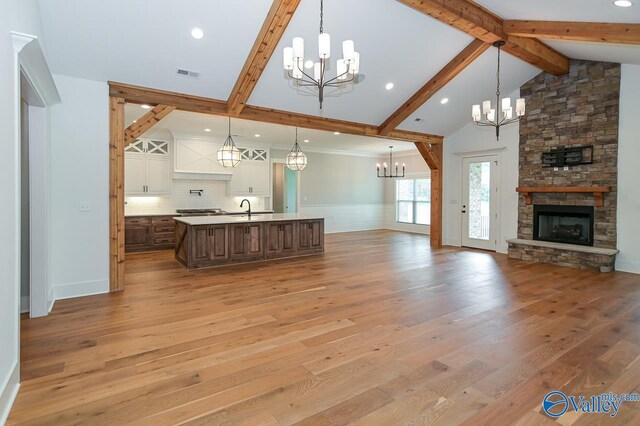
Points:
point(346, 68)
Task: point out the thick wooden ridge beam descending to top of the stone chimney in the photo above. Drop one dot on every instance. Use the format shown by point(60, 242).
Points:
point(478, 22)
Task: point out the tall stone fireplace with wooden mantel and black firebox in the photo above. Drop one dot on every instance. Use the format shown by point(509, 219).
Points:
point(562, 224)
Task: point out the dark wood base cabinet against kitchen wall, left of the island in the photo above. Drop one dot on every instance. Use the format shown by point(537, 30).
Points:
point(148, 233)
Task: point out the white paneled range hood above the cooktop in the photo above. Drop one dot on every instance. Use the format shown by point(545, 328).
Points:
point(196, 156)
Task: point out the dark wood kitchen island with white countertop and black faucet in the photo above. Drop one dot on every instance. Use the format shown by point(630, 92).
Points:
point(206, 241)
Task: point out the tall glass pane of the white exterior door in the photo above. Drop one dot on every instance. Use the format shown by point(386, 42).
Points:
point(479, 193)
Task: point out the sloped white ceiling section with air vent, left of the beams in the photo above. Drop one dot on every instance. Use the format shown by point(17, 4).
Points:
point(144, 42)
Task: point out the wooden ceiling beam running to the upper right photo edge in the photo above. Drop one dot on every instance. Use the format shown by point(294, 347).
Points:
point(597, 32)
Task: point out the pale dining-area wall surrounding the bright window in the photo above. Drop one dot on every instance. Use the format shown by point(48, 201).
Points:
point(416, 167)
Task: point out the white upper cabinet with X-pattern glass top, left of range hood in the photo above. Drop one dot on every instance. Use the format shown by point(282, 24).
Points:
point(147, 167)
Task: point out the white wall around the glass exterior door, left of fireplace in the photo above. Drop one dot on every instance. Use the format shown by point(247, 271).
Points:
point(471, 138)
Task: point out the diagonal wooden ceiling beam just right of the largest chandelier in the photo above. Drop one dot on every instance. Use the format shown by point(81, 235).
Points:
point(444, 76)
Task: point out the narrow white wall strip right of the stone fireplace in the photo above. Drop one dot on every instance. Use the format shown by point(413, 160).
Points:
point(628, 175)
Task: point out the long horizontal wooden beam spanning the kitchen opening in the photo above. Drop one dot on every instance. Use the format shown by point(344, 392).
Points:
point(183, 102)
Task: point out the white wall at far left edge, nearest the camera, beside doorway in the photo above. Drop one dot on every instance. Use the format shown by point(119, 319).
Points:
point(22, 16)
